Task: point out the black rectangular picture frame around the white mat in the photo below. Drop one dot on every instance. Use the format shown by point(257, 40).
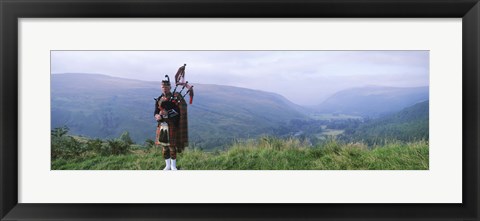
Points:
point(12, 10)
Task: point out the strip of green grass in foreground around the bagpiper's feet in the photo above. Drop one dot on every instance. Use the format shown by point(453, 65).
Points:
point(267, 154)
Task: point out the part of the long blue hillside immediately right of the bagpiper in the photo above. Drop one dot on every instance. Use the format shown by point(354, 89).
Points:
point(222, 113)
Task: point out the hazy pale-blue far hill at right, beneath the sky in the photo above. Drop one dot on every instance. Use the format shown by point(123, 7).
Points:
point(372, 101)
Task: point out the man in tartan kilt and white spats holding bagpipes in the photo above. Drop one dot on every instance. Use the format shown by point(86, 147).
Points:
point(172, 129)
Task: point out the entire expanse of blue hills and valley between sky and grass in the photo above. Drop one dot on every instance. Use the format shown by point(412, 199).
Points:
point(104, 107)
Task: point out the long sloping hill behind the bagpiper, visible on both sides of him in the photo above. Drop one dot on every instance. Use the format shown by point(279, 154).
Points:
point(101, 106)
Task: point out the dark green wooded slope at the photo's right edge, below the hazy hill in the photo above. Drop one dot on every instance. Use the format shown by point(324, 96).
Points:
point(409, 124)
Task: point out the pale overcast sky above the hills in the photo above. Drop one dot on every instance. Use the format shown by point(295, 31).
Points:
point(303, 77)
